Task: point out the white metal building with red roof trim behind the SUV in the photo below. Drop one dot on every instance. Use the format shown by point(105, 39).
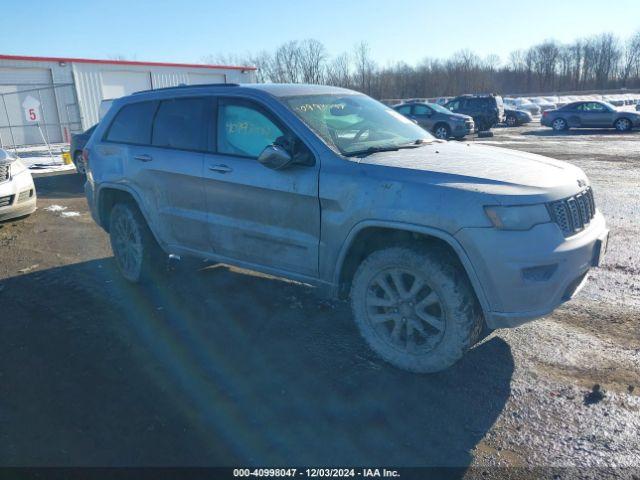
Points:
point(49, 98)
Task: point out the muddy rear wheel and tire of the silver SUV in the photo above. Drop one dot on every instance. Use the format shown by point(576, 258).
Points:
point(138, 256)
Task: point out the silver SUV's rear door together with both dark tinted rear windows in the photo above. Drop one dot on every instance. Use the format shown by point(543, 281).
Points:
point(161, 146)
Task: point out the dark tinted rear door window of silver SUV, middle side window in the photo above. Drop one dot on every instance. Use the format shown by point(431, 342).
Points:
point(182, 124)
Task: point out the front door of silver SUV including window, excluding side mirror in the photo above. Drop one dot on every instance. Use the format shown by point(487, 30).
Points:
point(256, 214)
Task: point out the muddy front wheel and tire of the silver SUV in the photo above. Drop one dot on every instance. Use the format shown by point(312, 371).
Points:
point(415, 308)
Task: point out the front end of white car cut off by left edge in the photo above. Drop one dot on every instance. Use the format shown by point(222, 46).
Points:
point(17, 191)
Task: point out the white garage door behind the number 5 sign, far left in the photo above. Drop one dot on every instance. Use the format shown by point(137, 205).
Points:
point(16, 84)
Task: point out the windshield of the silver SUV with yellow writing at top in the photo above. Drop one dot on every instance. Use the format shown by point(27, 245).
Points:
point(356, 123)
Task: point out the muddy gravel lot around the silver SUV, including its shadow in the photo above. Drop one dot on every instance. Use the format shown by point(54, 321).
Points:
point(215, 366)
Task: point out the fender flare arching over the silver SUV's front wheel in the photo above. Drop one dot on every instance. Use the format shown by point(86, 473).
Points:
point(420, 229)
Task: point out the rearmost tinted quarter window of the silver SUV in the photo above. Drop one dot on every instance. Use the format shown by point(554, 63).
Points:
point(133, 124)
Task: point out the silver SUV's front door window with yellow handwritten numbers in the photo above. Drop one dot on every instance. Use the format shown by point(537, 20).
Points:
point(244, 129)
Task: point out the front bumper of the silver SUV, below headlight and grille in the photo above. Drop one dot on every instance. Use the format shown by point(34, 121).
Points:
point(526, 275)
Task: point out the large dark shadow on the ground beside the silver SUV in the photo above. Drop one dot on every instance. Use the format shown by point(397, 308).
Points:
point(219, 368)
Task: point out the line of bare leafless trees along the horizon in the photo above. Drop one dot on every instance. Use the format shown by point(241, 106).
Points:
point(595, 63)
